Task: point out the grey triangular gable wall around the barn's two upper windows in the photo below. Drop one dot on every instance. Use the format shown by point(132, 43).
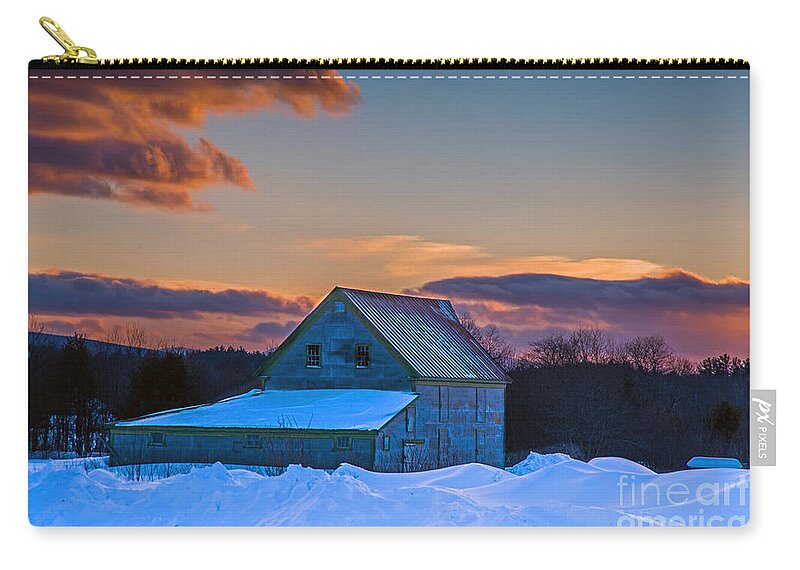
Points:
point(338, 335)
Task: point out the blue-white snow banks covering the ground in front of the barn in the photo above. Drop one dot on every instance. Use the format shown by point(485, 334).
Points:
point(542, 490)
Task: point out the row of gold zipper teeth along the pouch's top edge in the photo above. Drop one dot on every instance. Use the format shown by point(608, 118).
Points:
point(454, 63)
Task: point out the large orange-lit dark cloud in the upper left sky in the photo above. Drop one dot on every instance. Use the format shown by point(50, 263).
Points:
point(116, 139)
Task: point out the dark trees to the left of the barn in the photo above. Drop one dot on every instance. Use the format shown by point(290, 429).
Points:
point(77, 387)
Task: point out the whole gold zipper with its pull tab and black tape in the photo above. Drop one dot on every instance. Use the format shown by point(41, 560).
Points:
point(80, 57)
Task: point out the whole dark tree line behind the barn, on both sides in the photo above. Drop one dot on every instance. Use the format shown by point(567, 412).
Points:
point(580, 392)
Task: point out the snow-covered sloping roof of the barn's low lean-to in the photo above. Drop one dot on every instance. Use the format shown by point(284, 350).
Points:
point(287, 409)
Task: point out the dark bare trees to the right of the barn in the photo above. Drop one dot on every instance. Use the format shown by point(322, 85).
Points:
point(588, 395)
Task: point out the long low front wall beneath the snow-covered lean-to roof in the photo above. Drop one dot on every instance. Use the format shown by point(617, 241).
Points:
point(278, 451)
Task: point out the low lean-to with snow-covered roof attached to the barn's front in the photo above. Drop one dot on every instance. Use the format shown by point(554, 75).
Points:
point(273, 427)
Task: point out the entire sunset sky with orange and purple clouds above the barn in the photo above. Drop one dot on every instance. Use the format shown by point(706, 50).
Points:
point(213, 212)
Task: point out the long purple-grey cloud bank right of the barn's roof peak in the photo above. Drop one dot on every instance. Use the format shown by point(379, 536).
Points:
point(698, 317)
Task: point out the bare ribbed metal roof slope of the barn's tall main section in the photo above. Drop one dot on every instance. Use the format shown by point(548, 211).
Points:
point(427, 334)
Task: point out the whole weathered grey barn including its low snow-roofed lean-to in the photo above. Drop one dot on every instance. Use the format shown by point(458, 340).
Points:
point(383, 381)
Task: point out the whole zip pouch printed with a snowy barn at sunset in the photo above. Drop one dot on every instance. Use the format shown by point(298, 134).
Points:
point(387, 292)
